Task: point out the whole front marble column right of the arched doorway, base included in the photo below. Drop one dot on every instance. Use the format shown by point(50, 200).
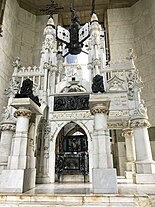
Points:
point(104, 176)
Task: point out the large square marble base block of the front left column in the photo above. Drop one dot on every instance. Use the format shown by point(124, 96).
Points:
point(17, 180)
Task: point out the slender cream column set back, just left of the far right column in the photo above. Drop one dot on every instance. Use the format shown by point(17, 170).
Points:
point(130, 152)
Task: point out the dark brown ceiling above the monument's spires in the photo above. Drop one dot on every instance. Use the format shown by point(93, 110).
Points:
point(83, 8)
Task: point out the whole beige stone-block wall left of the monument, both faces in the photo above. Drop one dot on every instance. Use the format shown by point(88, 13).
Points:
point(22, 37)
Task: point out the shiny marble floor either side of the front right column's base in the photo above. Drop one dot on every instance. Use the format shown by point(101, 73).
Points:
point(125, 187)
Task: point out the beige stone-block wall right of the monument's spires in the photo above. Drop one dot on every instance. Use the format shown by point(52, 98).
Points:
point(134, 27)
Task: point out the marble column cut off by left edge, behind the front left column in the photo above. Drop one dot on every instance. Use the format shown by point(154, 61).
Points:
point(7, 131)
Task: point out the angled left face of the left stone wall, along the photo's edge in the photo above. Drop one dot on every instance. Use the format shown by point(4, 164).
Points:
point(7, 46)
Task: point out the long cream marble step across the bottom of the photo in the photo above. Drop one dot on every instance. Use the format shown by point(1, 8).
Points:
point(47, 200)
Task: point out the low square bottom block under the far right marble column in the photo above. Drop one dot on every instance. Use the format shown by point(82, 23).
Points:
point(144, 178)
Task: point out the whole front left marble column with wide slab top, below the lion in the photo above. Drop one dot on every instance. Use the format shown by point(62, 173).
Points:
point(21, 173)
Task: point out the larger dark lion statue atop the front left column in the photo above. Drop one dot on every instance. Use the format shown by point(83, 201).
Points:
point(27, 92)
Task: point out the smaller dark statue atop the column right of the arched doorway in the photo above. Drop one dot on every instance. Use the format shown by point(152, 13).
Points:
point(97, 85)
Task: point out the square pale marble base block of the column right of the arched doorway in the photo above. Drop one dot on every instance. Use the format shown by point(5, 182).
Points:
point(104, 180)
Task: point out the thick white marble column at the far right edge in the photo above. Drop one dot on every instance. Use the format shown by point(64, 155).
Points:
point(145, 166)
